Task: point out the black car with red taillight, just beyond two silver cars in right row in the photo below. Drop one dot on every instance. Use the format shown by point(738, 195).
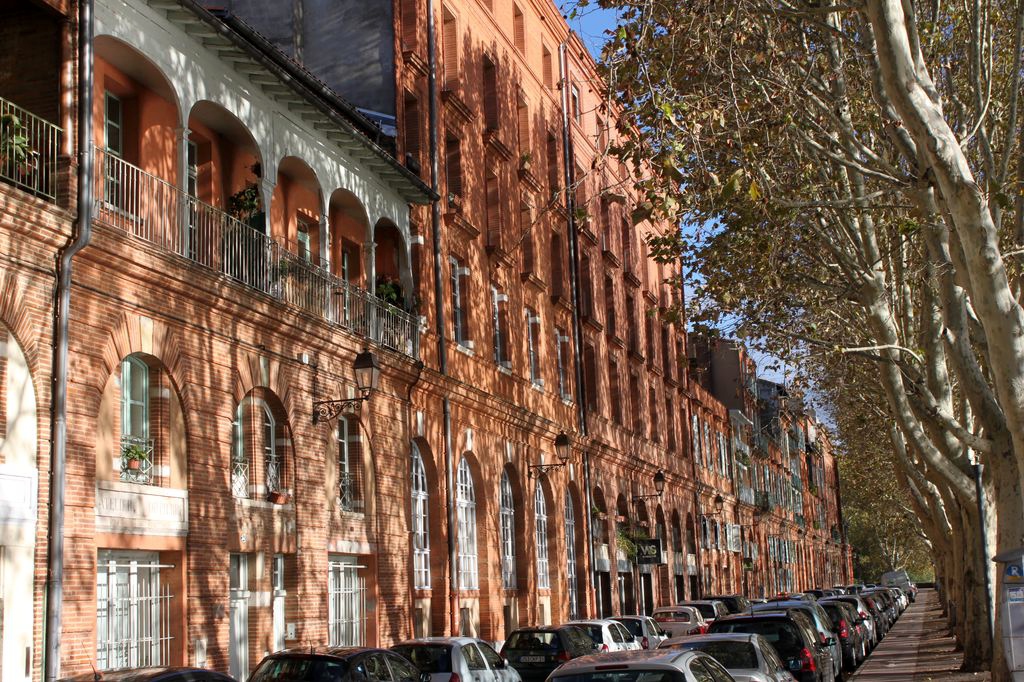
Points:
point(794, 637)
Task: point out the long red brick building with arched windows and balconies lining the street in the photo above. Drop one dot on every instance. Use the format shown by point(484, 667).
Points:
point(251, 235)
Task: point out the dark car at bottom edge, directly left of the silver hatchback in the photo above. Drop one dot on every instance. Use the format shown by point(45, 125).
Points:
point(335, 665)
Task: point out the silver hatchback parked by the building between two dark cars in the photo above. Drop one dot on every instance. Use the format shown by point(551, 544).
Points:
point(448, 659)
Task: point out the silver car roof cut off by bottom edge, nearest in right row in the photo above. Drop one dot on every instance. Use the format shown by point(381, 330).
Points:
point(657, 666)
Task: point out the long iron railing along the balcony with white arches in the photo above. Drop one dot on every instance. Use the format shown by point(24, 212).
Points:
point(156, 211)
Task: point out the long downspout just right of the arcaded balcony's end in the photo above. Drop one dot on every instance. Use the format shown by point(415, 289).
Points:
point(436, 225)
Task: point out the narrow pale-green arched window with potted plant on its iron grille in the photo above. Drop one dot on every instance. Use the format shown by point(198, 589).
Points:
point(137, 446)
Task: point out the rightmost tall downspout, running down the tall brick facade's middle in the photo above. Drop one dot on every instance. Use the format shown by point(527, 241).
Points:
point(569, 177)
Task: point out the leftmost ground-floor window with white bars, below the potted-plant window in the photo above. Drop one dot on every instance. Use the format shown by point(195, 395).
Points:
point(133, 611)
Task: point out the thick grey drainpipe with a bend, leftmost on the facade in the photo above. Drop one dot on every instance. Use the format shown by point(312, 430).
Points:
point(59, 413)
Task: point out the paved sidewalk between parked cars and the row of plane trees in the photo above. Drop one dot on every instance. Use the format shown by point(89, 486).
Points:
point(919, 649)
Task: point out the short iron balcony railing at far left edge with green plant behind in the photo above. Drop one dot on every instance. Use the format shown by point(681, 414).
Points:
point(30, 149)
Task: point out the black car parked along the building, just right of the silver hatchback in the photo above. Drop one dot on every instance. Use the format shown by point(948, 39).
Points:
point(537, 652)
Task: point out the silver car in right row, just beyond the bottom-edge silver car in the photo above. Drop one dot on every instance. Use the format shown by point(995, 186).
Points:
point(749, 658)
